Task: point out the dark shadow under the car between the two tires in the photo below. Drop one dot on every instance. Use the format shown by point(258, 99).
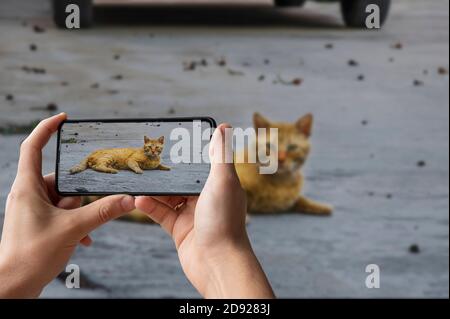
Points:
point(213, 15)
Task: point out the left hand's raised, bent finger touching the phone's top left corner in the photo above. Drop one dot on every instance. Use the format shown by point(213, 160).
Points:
point(30, 160)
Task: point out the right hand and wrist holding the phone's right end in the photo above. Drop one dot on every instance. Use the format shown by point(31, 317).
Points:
point(209, 232)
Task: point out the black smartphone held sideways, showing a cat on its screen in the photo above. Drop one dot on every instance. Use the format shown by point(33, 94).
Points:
point(164, 156)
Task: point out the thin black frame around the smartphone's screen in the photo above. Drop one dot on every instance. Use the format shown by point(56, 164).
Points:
point(210, 120)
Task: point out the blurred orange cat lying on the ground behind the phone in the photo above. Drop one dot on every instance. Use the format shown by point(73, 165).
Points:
point(280, 192)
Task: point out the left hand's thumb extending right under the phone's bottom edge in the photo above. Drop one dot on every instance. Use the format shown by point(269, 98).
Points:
point(103, 210)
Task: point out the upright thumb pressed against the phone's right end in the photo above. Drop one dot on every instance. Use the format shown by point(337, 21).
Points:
point(221, 154)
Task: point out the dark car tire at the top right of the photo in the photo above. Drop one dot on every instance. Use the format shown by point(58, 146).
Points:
point(354, 11)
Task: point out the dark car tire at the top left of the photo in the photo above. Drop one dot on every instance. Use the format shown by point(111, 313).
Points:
point(86, 12)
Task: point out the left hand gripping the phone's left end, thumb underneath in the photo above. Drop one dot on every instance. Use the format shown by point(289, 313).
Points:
point(41, 230)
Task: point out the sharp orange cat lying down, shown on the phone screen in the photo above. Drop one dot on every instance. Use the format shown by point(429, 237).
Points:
point(135, 159)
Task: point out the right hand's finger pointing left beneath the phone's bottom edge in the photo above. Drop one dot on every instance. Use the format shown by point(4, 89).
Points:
point(158, 211)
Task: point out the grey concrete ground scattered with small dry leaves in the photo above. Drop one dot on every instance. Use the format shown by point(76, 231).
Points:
point(381, 150)
